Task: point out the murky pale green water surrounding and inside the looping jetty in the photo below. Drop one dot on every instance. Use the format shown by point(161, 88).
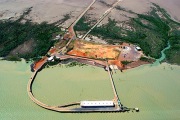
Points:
point(153, 89)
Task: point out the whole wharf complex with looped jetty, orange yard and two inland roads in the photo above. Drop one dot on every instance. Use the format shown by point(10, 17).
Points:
point(107, 57)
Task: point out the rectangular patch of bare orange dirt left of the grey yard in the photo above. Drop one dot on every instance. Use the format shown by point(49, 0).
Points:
point(96, 51)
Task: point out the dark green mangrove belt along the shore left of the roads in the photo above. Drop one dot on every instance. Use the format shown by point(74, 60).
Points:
point(15, 33)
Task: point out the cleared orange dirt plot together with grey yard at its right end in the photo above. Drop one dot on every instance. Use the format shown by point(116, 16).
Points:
point(119, 56)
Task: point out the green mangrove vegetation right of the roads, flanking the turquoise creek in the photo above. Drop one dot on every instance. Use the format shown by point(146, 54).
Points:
point(150, 31)
